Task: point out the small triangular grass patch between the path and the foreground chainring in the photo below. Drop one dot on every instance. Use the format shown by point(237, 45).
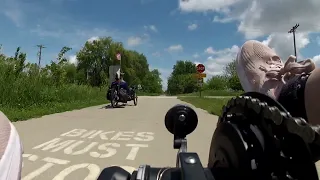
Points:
point(212, 105)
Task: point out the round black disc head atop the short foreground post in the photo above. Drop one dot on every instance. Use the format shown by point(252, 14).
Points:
point(181, 120)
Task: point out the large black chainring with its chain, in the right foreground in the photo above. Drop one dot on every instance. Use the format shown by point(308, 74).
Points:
point(256, 138)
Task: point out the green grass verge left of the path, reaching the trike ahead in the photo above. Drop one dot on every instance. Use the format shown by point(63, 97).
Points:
point(34, 102)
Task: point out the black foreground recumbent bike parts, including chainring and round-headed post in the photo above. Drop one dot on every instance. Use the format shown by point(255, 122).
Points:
point(255, 138)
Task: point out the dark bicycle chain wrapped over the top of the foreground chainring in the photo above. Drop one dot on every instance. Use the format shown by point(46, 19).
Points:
point(279, 118)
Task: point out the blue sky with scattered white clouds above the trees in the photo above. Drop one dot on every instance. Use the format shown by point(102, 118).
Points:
point(203, 31)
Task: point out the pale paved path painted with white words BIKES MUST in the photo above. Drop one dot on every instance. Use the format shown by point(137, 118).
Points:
point(78, 144)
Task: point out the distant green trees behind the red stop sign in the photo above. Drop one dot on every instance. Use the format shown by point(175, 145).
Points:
point(182, 79)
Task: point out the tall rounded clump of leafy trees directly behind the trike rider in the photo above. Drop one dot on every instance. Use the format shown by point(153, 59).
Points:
point(95, 58)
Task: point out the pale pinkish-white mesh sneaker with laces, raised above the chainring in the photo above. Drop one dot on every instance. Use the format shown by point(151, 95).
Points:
point(260, 69)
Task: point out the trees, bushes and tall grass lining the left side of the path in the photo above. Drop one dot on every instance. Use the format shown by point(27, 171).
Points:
point(25, 84)
